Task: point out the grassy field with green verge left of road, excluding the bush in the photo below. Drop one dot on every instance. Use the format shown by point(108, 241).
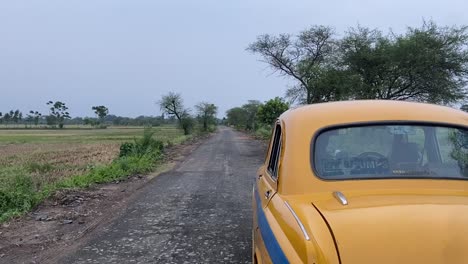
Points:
point(39, 159)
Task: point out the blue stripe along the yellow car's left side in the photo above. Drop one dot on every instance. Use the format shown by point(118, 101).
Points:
point(271, 244)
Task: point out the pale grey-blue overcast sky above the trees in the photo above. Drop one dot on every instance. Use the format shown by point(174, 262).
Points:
point(126, 54)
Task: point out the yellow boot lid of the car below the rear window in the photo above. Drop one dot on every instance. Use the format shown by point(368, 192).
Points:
point(405, 228)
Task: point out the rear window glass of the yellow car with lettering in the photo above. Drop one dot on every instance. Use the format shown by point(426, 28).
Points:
point(391, 151)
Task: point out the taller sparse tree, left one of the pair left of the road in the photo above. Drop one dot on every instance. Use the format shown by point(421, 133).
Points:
point(173, 105)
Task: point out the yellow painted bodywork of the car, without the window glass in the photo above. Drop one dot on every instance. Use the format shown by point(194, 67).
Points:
point(390, 209)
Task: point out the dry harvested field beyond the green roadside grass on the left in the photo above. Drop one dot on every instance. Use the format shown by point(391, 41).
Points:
point(50, 155)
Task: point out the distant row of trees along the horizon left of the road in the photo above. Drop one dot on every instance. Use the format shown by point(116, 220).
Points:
point(171, 105)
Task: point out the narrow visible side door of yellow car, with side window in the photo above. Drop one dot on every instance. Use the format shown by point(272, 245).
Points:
point(265, 189)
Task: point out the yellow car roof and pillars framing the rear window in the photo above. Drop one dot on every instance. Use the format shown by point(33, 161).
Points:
point(301, 124)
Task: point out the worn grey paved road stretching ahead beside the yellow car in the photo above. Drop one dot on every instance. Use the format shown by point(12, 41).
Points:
point(200, 212)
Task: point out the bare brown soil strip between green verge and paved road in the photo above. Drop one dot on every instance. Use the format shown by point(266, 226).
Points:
point(61, 223)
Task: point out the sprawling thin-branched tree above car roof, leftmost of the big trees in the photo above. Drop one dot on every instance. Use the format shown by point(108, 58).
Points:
point(300, 59)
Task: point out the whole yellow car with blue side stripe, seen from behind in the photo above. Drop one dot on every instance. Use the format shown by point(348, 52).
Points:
point(364, 182)
